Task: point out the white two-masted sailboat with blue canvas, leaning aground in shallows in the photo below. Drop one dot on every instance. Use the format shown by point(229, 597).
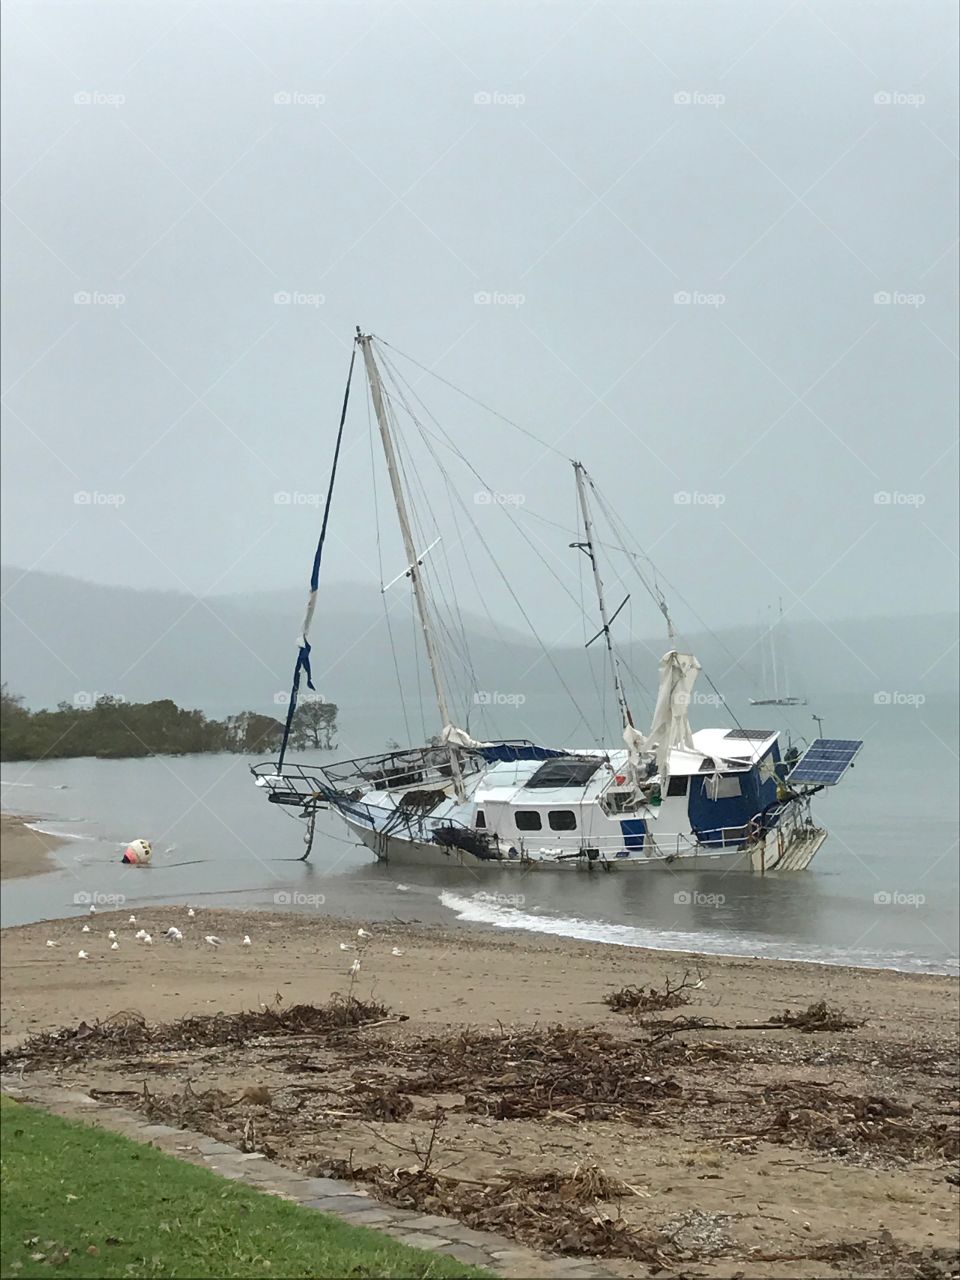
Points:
point(712, 799)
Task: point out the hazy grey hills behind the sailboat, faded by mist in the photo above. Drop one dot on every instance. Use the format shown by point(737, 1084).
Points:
point(63, 639)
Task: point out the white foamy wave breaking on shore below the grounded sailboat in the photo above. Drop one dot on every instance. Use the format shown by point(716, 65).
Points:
point(486, 909)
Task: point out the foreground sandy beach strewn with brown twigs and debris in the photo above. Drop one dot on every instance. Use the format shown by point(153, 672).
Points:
point(753, 1146)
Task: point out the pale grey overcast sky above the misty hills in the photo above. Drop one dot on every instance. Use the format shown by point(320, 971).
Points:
point(708, 248)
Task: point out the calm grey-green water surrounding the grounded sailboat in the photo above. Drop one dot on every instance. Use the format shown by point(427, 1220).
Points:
point(881, 893)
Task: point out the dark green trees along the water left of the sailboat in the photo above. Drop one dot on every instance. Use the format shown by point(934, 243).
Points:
point(113, 729)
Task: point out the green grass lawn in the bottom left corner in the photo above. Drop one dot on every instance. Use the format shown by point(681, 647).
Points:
point(80, 1201)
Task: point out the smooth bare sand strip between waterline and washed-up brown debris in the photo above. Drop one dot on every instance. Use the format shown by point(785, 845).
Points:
point(459, 976)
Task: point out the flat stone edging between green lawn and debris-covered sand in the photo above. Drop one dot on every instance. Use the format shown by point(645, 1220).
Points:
point(342, 1200)
